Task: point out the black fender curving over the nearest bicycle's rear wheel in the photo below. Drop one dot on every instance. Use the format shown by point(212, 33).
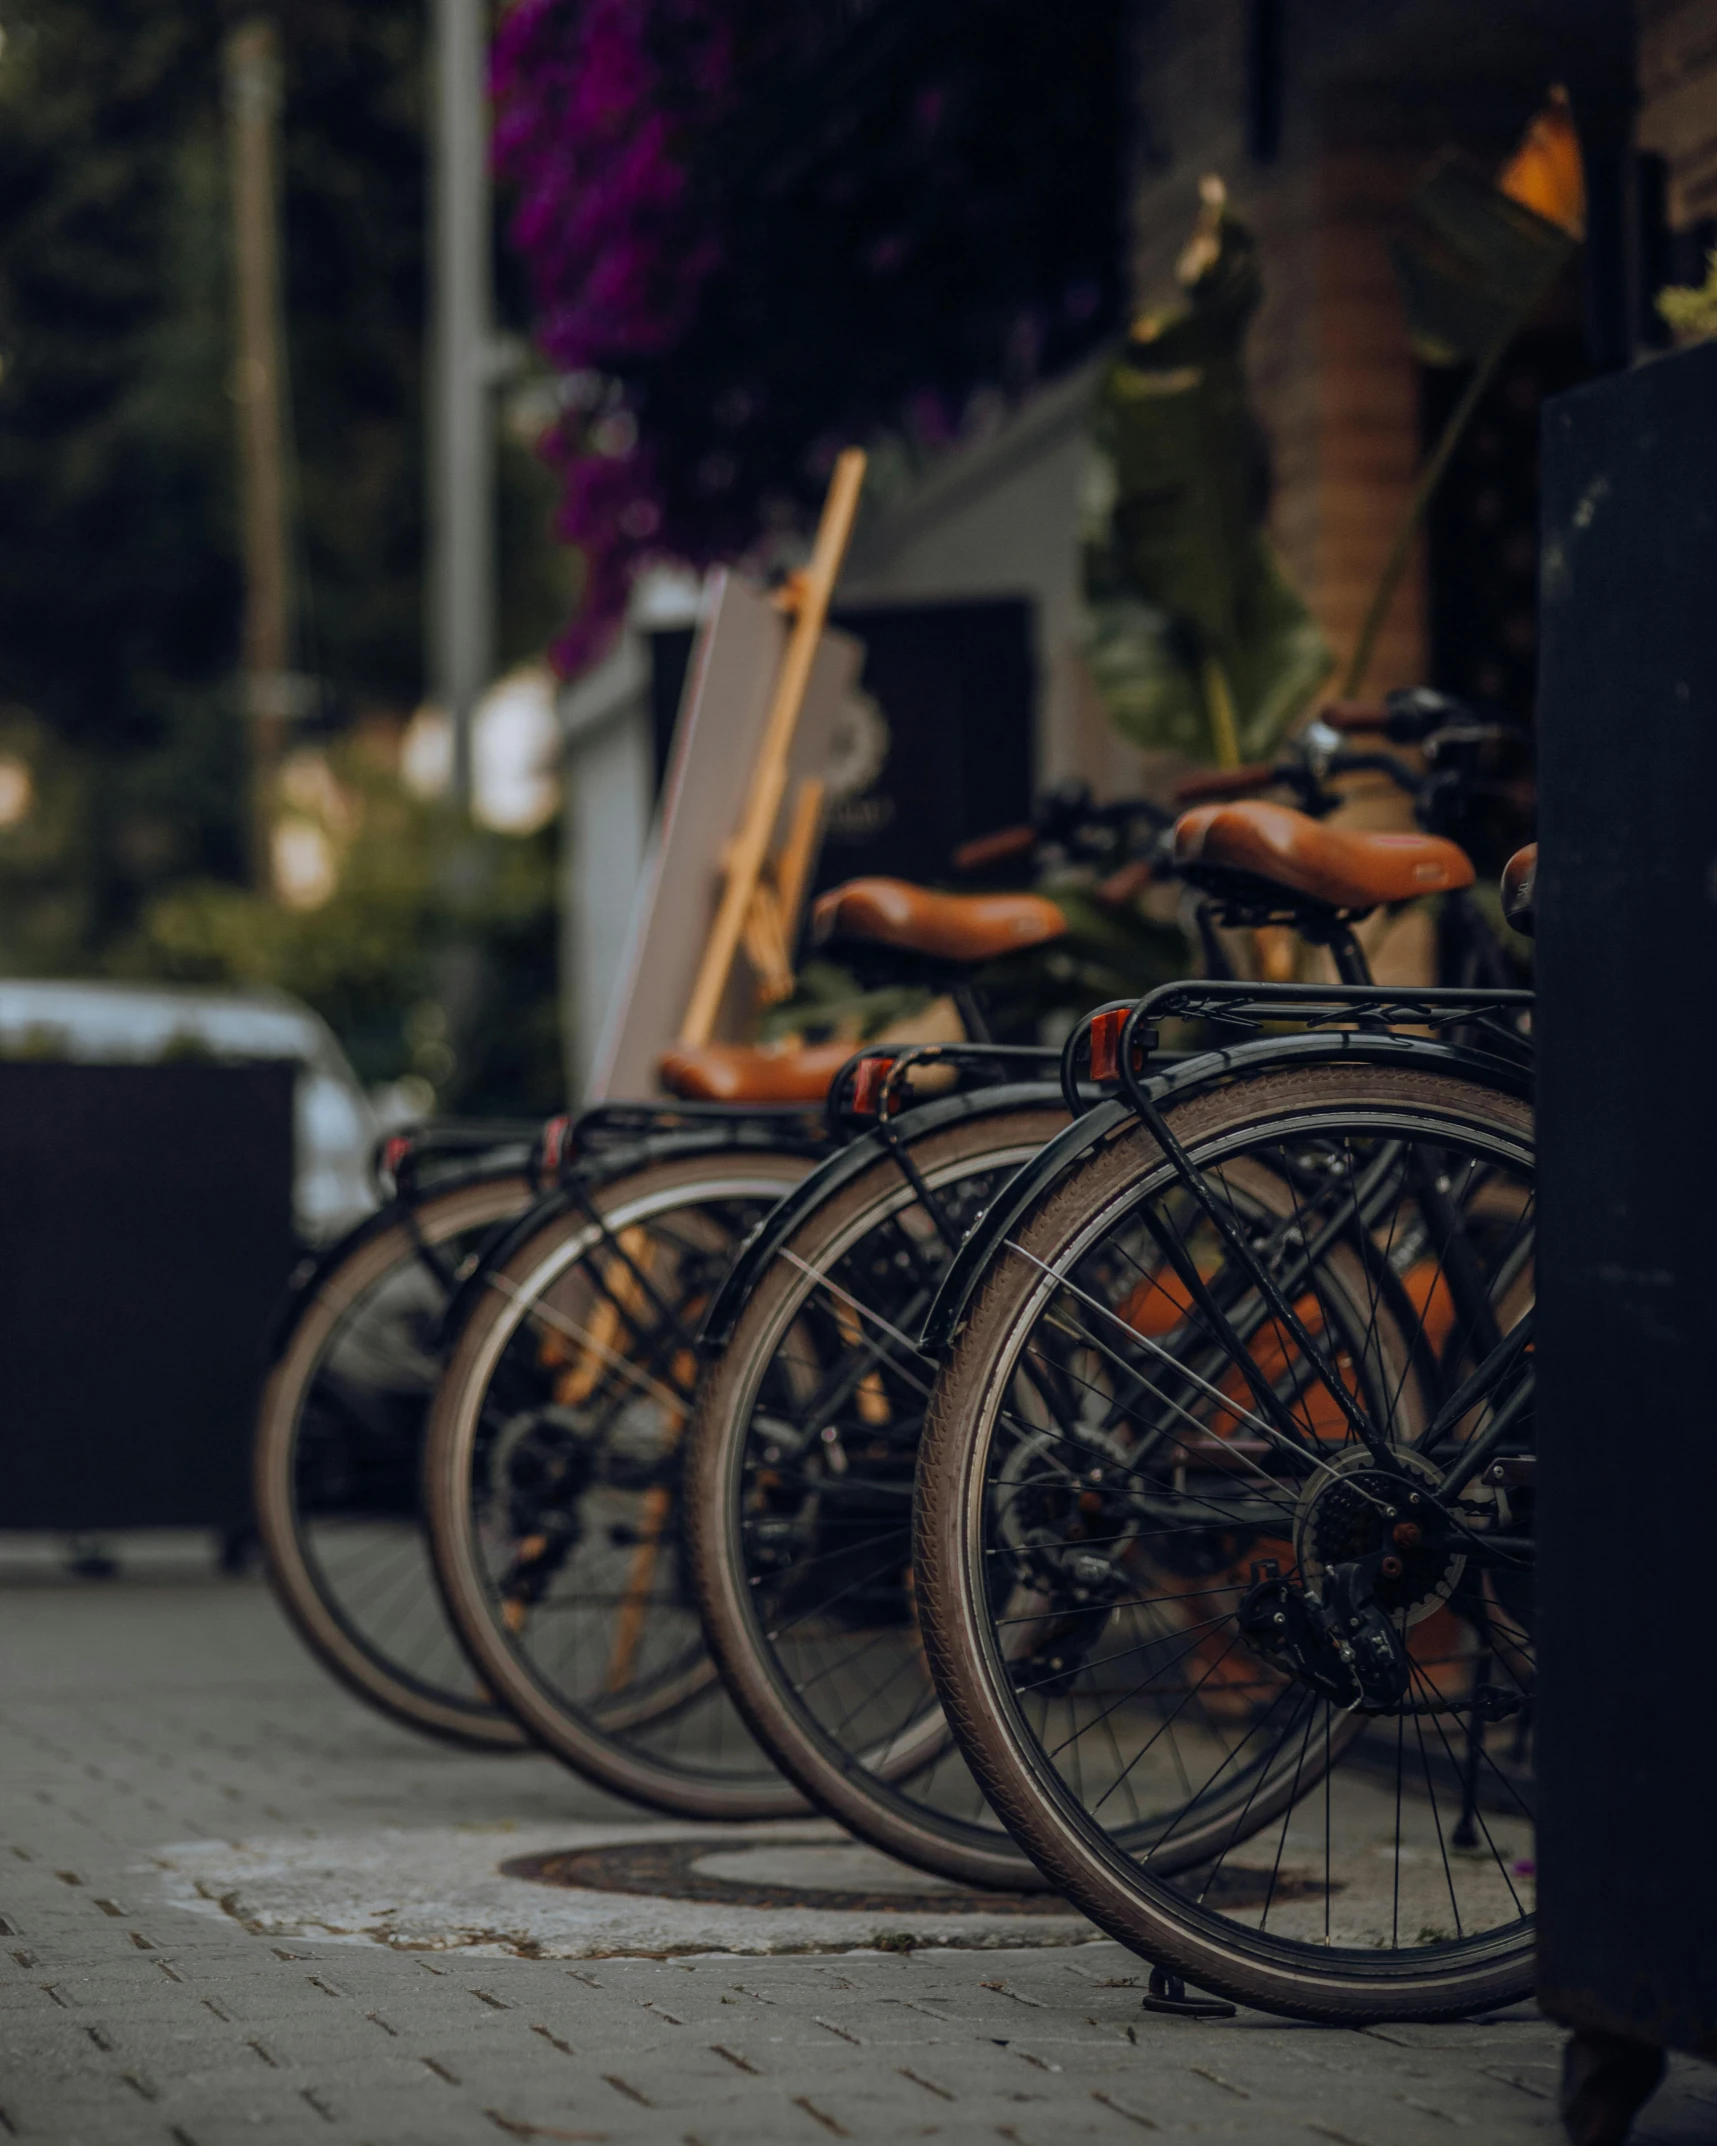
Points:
point(1177, 1085)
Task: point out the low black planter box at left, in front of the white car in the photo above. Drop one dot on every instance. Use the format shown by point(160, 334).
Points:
point(145, 1241)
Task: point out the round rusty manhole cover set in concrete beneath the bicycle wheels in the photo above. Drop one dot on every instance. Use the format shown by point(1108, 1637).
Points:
point(769, 1875)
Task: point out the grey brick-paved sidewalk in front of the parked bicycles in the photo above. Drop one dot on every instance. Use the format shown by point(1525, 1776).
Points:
point(179, 1724)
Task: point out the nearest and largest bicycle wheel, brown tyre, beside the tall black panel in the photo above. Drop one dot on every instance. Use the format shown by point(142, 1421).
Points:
point(1190, 1550)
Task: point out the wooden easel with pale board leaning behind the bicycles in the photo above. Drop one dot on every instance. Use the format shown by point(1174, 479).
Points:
point(742, 814)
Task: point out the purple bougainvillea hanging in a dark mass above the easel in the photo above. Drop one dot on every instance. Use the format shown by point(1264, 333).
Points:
point(757, 231)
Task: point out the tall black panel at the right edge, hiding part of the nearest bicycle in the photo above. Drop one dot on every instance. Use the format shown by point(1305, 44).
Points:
point(1628, 1254)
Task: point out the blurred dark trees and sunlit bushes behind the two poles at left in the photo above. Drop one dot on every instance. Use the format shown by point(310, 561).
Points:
point(123, 804)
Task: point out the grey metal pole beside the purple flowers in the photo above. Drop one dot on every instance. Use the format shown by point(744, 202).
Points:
point(465, 465)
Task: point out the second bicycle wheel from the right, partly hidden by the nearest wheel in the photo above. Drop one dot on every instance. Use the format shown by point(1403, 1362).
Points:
point(799, 1501)
